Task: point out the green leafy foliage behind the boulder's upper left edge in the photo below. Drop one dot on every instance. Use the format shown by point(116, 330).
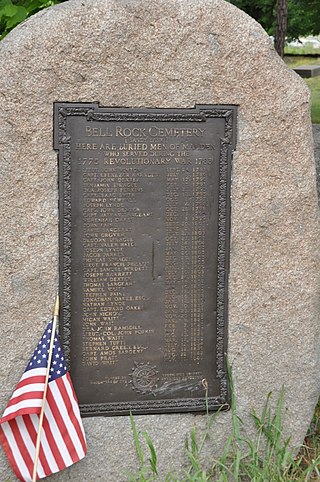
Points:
point(13, 12)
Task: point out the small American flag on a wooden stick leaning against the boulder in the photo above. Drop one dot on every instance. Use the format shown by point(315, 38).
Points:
point(62, 438)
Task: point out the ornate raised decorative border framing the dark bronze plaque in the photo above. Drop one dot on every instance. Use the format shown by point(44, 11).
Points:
point(62, 143)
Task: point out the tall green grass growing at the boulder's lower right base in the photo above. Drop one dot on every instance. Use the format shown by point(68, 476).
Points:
point(266, 457)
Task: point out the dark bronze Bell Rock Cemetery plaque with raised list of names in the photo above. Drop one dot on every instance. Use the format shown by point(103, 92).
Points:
point(144, 252)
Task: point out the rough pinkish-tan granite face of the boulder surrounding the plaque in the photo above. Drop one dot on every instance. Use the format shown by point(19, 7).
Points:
point(168, 53)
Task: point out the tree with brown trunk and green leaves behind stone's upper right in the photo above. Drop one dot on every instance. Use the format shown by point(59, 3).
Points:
point(303, 17)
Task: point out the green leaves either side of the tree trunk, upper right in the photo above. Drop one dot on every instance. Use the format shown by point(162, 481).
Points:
point(303, 15)
